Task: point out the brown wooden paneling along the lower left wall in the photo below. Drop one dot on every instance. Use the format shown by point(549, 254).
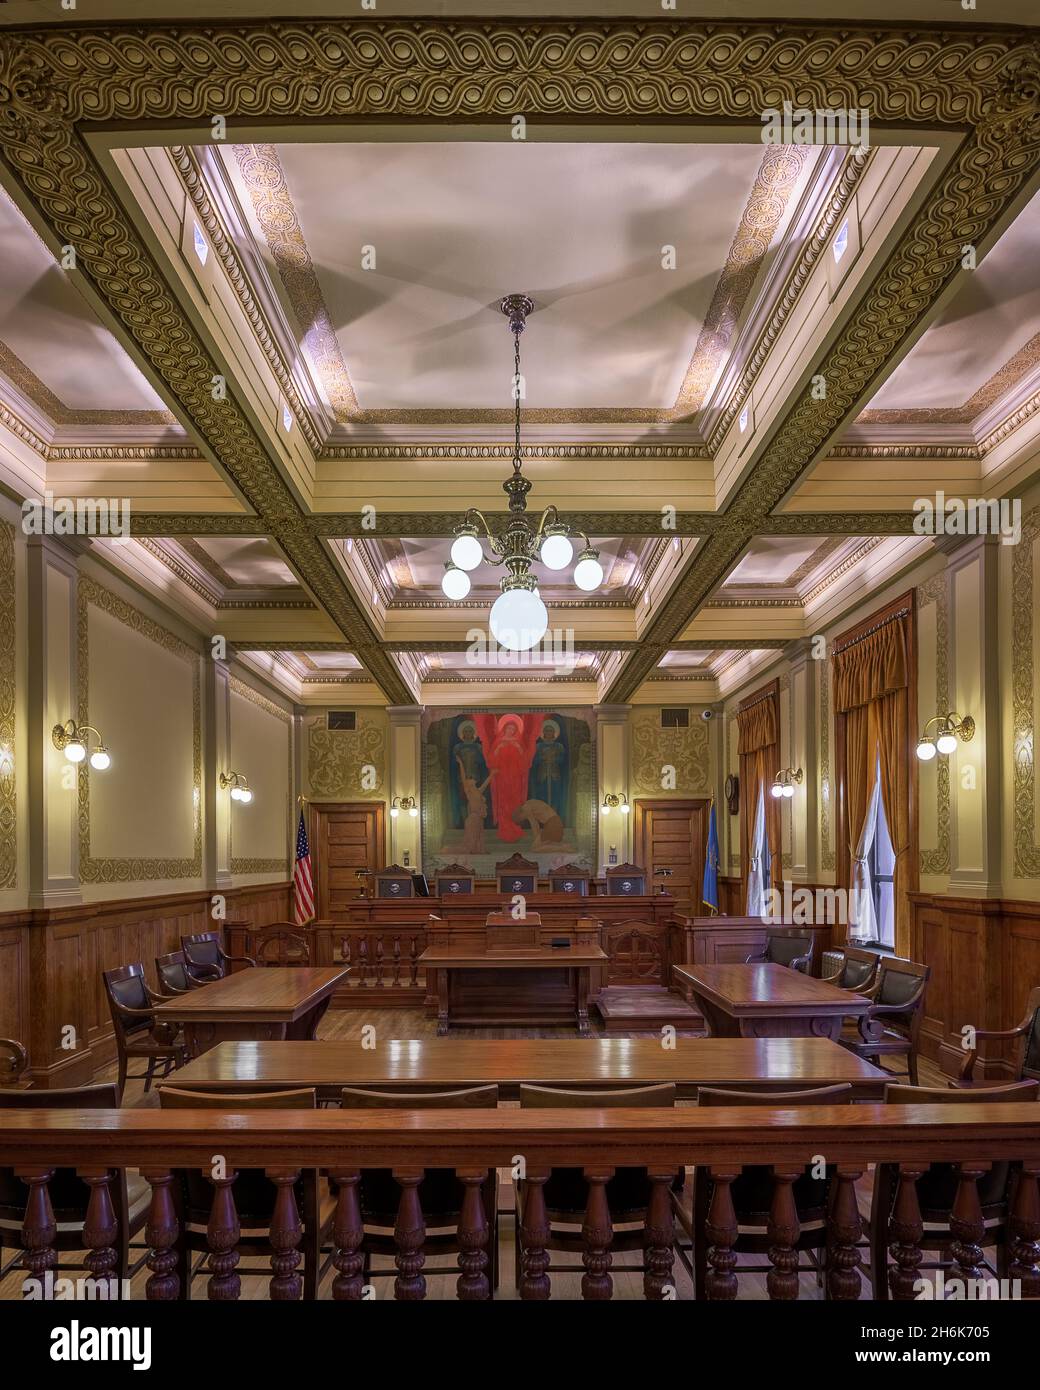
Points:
point(51, 968)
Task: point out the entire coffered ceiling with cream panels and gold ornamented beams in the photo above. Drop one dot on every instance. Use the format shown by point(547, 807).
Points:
point(284, 344)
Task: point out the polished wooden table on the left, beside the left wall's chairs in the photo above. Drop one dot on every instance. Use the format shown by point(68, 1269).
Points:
point(259, 1004)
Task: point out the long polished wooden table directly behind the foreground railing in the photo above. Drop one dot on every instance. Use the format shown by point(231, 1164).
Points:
point(437, 1064)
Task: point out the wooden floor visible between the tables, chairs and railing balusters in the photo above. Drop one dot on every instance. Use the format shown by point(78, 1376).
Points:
point(344, 1025)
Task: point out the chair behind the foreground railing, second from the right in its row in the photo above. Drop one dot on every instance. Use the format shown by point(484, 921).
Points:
point(753, 1195)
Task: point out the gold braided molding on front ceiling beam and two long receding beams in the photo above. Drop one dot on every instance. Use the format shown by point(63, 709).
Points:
point(56, 81)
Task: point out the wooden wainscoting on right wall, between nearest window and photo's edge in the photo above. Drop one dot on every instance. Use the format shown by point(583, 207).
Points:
point(985, 957)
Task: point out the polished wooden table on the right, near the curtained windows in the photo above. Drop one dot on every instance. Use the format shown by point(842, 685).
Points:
point(768, 1001)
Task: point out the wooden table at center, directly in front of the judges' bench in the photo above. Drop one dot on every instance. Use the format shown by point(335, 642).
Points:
point(525, 986)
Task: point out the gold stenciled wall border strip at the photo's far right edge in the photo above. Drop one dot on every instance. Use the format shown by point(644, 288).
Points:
point(1023, 698)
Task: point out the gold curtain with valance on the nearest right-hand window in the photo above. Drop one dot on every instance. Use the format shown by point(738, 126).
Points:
point(871, 689)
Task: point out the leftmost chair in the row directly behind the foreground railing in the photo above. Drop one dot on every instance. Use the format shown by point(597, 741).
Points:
point(131, 1196)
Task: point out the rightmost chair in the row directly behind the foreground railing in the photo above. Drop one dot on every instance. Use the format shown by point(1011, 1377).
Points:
point(938, 1188)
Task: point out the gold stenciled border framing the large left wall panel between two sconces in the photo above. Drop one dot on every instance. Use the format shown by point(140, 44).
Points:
point(134, 871)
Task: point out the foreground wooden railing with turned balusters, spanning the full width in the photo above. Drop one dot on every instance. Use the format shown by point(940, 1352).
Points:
point(343, 1143)
